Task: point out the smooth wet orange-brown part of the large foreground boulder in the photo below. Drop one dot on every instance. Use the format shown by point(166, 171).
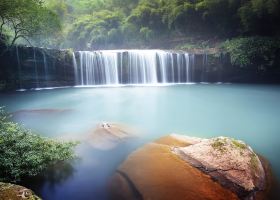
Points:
point(154, 172)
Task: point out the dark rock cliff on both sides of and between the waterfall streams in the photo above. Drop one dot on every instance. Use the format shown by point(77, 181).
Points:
point(28, 67)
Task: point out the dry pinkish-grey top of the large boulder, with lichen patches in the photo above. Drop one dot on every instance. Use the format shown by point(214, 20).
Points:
point(229, 161)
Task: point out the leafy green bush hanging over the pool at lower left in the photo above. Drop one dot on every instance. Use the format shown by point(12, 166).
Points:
point(24, 154)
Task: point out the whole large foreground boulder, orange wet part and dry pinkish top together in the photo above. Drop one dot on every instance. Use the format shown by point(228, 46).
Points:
point(181, 167)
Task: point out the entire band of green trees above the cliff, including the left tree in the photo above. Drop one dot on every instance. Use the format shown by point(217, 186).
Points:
point(91, 24)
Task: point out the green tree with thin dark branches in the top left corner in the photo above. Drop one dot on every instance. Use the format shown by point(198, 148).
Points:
point(27, 19)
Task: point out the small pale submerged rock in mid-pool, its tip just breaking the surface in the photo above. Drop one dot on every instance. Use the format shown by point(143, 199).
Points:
point(107, 136)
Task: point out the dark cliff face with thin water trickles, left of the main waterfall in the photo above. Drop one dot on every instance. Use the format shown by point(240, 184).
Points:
point(28, 67)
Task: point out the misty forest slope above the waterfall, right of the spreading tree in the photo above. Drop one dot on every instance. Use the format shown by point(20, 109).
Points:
point(113, 23)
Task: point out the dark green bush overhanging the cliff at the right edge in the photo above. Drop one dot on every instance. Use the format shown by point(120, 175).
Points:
point(260, 52)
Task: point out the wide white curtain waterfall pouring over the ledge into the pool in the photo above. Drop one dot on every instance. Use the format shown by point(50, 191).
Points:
point(113, 67)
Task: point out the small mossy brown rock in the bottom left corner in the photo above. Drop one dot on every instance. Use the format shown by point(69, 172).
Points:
point(16, 192)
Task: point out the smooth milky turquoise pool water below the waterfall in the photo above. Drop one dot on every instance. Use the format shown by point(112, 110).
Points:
point(247, 112)
